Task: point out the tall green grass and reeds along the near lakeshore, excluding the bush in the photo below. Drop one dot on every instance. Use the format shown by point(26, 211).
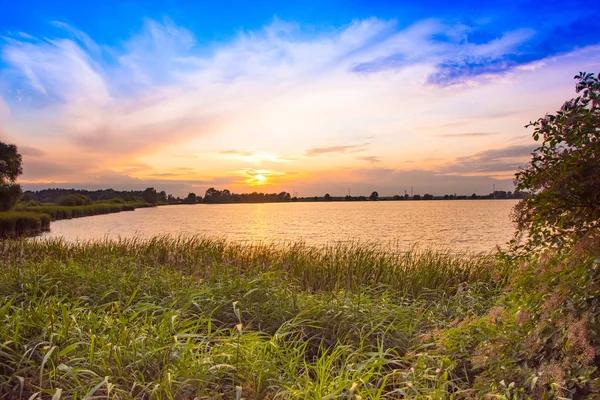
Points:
point(184, 318)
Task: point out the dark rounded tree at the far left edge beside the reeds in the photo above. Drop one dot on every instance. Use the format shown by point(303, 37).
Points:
point(10, 169)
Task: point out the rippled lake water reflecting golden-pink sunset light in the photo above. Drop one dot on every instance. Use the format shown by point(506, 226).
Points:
point(472, 225)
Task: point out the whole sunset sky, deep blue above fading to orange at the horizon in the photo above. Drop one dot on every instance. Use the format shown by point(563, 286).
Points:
point(308, 97)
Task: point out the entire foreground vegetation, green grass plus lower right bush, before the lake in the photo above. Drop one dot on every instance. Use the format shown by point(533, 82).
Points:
point(200, 318)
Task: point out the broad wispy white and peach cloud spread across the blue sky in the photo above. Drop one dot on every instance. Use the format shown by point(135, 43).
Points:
point(162, 95)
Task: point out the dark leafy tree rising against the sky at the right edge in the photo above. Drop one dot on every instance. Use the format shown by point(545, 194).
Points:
point(563, 177)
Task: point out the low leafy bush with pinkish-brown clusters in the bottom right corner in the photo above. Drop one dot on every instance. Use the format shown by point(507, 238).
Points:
point(542, 338)
